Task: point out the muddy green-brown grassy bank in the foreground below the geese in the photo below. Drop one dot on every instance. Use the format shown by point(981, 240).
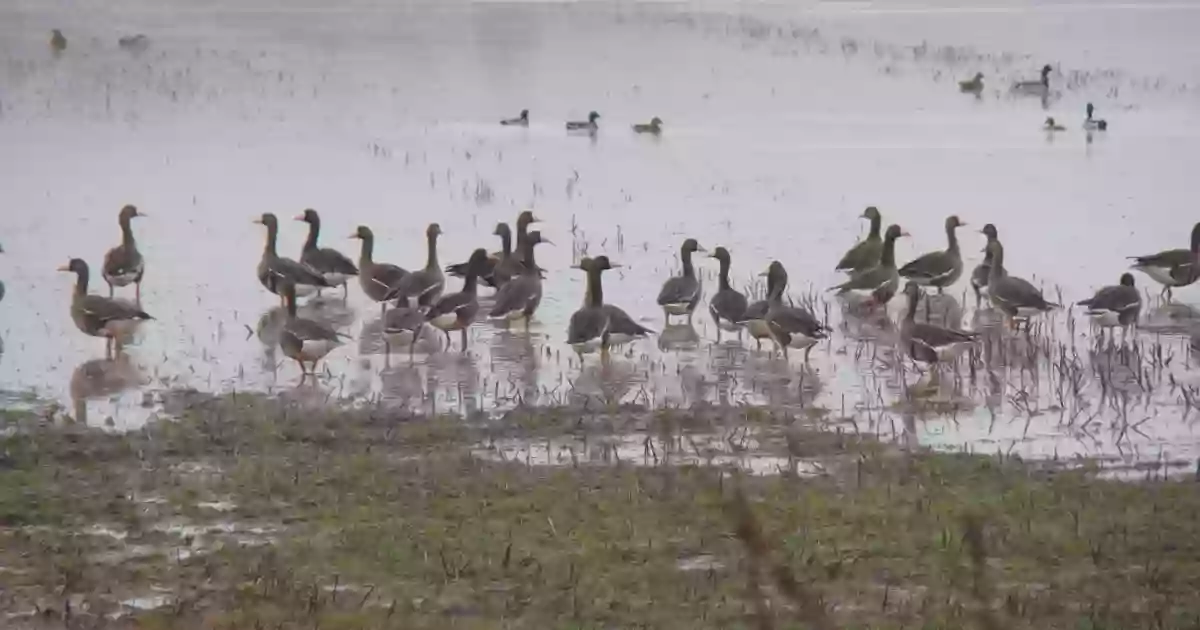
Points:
point(250, 513)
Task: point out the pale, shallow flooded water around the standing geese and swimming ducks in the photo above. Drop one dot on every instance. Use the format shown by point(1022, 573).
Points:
point(782, 125)
